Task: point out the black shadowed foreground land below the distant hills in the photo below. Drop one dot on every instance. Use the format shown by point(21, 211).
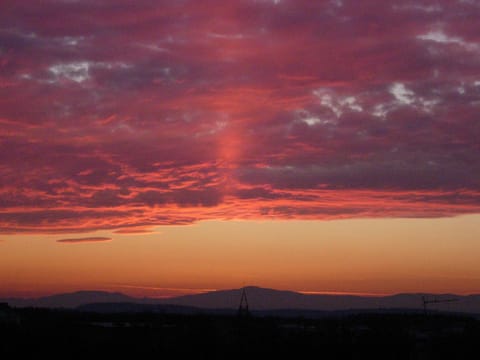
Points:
point(73, 334)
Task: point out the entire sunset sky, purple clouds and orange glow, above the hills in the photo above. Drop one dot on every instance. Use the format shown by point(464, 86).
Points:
point(168, 147)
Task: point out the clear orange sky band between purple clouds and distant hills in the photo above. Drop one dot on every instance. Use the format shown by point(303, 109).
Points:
point(362, 256)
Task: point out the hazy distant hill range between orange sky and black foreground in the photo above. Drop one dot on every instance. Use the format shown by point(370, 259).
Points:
point(261, 299)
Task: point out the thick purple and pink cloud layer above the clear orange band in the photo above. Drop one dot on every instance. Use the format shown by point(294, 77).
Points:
point(120, 114)
